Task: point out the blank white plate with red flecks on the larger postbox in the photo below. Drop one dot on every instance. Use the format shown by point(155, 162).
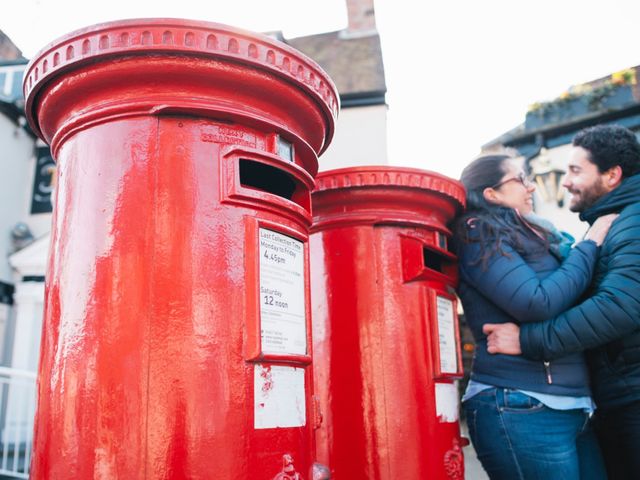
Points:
point(279, 400)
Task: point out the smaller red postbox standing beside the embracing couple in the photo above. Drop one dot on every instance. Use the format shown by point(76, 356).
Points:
point(385, 333)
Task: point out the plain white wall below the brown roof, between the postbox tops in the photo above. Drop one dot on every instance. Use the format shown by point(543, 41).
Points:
point(360, 139)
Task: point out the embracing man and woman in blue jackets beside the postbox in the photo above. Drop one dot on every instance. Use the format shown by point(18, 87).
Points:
point(555, 383)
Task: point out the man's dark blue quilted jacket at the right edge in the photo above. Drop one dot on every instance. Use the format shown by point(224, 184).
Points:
point(607, 322)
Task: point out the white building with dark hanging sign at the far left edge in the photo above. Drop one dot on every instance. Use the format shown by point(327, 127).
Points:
point(25, 217)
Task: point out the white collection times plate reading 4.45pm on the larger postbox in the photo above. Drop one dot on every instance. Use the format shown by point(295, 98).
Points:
point(282, 302)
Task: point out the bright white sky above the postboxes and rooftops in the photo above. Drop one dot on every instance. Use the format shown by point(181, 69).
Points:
point(459, 73)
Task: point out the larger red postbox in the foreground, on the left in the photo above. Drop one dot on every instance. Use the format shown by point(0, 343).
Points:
point(176, 340)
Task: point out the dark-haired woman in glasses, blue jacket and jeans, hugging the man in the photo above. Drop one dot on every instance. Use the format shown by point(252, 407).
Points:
point(527, 419)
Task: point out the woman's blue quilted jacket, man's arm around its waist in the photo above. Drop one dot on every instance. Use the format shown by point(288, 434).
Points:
point(524, 283)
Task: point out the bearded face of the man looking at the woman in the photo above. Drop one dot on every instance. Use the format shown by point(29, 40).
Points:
point(583, 181)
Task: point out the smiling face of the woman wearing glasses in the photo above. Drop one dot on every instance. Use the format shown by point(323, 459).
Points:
point(514, 189)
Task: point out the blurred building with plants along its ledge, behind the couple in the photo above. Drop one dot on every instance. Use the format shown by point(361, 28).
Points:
point(543, 140)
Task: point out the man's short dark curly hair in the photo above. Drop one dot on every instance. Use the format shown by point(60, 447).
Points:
point(611, 145)
